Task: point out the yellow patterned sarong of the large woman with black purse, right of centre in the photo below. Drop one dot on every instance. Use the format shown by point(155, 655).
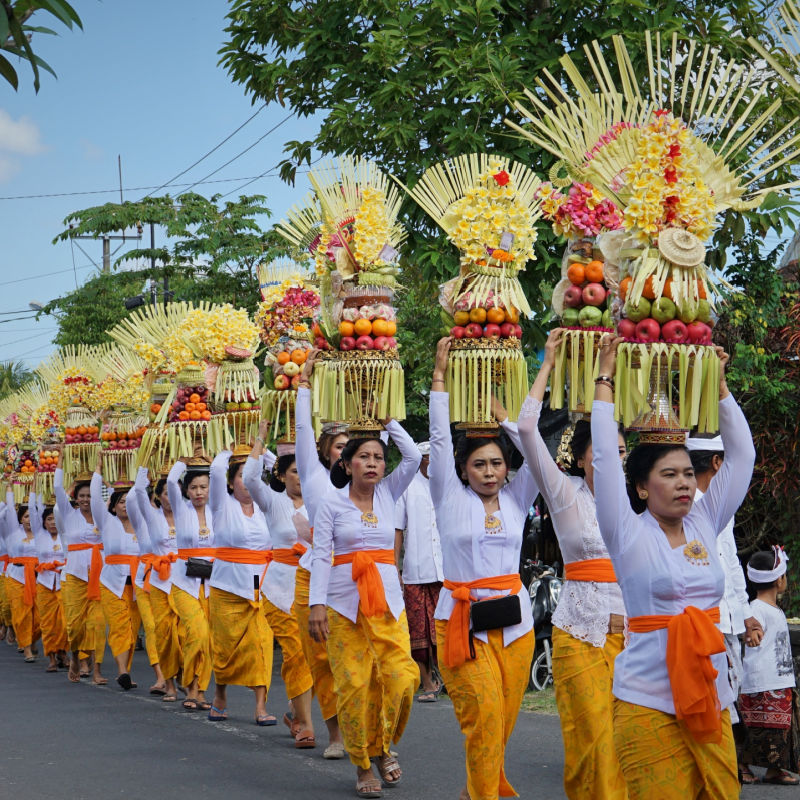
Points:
point(487, 692)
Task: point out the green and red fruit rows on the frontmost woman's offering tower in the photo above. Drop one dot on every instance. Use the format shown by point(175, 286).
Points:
point(661, 316)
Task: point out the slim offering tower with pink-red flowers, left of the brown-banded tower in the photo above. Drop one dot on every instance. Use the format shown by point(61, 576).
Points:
point(285, 318)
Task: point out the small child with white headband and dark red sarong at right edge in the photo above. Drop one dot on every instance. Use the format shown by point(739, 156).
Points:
point(768, 700)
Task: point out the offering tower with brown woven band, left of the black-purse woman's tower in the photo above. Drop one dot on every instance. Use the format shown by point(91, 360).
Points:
point(350, 226)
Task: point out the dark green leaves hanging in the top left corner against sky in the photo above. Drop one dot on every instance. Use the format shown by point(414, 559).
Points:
point(16, 34)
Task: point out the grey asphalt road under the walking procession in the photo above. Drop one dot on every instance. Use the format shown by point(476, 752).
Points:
point(87, 743)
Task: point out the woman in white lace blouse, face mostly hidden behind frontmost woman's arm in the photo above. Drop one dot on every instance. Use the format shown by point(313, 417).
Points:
point(589, 621)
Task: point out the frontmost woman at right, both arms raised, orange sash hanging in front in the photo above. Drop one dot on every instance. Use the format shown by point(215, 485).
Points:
point(670, 682)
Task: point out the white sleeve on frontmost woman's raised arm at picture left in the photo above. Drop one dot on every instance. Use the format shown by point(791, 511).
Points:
point(614, 512)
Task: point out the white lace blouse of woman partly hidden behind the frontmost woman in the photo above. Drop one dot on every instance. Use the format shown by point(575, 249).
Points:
point(584, 606)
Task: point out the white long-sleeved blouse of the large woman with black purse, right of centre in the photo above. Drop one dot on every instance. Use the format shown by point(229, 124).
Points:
point(470, 548)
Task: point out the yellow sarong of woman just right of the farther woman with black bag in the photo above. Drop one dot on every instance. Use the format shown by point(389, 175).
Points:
point(241, 640)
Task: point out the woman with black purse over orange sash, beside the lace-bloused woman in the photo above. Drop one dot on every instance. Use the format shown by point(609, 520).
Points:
point(484, 624)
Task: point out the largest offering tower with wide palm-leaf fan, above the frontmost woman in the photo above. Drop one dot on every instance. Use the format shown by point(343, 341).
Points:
point(671, 149)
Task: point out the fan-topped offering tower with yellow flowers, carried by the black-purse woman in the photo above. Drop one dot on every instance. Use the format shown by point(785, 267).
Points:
point(488, 208)
